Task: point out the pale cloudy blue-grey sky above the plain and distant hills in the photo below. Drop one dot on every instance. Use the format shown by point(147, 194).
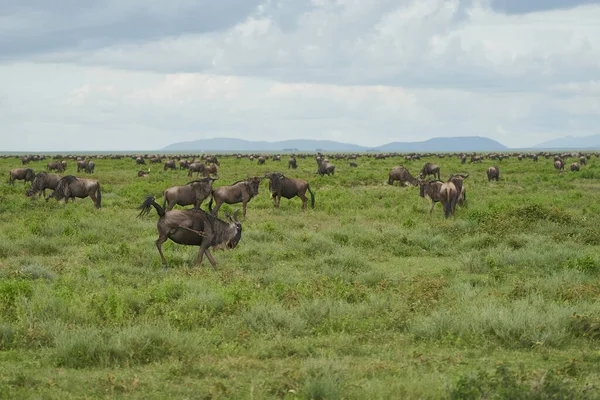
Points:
point(141, 74)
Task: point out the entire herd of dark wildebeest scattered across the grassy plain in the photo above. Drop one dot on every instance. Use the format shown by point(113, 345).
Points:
point(198, 227)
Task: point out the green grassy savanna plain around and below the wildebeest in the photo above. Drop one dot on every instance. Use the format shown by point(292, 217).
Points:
point(366, 296)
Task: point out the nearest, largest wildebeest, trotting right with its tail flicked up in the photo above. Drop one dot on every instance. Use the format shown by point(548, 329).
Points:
point(194, 228)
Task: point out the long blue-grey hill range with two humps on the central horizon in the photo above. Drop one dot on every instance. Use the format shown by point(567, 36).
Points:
point(452, 144)
